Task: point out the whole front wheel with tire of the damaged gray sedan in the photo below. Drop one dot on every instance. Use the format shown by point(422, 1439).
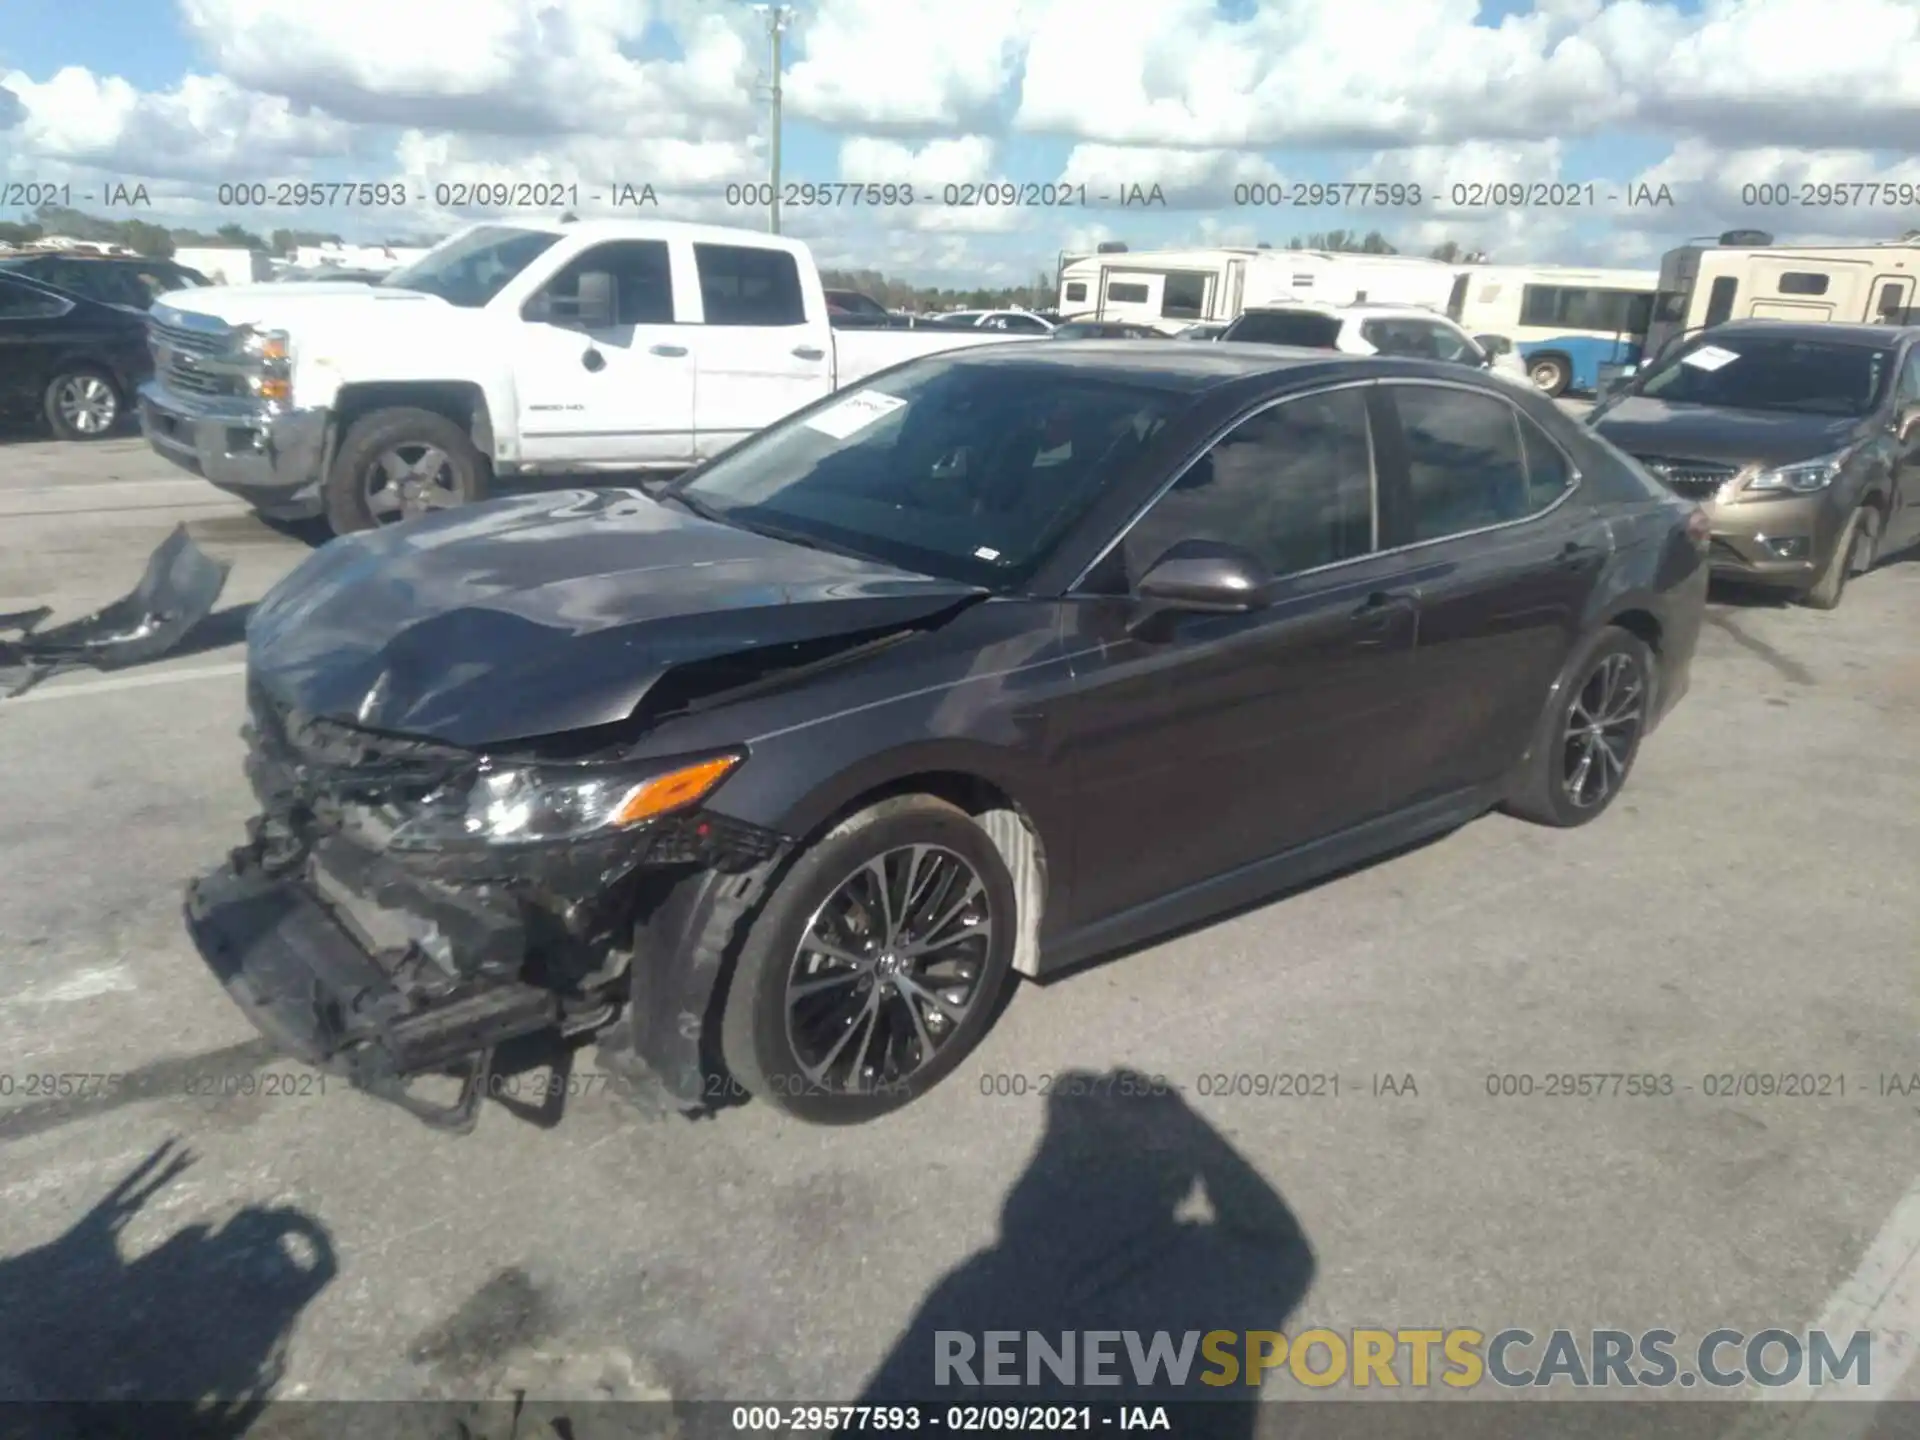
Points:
point(875, 967)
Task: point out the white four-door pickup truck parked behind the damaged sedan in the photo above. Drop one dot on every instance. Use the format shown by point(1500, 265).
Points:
point(512, 348)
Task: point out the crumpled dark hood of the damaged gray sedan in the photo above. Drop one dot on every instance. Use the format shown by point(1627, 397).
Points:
point(550, 613)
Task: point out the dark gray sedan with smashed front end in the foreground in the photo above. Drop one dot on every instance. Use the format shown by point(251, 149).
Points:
point(777, 775)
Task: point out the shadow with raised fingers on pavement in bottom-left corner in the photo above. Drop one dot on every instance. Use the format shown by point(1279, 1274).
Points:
point(201, 1320)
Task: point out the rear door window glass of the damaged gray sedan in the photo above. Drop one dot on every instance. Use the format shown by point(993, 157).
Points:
point(1466, 466)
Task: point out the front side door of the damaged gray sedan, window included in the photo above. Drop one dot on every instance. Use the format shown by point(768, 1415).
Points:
point(1207, 744)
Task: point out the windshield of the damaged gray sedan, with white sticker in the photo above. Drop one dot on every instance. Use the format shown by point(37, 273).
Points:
point(957, 469)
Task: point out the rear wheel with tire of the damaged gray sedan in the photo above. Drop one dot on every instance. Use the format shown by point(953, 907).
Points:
point(1591, 736)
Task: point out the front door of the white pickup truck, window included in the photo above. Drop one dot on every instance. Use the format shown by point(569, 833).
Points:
point(610, 389)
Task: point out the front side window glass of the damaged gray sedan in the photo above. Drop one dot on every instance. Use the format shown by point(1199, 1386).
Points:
point(1291, 485)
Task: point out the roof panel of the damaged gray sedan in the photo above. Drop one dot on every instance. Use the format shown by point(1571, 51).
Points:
point(1191, 370)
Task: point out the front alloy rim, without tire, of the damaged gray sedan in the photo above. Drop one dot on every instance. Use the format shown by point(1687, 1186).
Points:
point(888, 971)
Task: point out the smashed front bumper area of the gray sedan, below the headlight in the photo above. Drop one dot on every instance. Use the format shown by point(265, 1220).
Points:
point(391, 967)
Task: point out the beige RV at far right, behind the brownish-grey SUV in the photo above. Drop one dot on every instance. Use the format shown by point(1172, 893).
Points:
point(1750, 277)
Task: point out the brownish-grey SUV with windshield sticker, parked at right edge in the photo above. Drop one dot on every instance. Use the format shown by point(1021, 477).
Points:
point(1800, 441)
